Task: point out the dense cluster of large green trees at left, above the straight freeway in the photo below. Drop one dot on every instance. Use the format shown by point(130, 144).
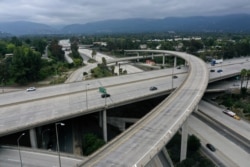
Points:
point(21, 60)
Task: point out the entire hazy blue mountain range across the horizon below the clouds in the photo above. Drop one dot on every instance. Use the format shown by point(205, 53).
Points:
point(228, 23)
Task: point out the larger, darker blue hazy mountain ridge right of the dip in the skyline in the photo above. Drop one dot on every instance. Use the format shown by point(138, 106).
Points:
point(230, 23)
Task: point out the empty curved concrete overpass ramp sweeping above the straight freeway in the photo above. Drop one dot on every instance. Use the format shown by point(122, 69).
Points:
point(140, 143)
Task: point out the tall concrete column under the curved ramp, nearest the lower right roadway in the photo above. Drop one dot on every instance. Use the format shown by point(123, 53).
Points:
point(184, 138)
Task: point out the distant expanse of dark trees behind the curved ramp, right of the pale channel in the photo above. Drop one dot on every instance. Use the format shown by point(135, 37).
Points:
point(213, 45)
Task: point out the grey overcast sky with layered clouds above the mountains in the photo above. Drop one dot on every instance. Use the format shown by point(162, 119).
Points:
point(63, 12)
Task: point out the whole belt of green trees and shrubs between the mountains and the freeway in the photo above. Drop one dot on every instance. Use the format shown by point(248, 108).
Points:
point(25, 60)
